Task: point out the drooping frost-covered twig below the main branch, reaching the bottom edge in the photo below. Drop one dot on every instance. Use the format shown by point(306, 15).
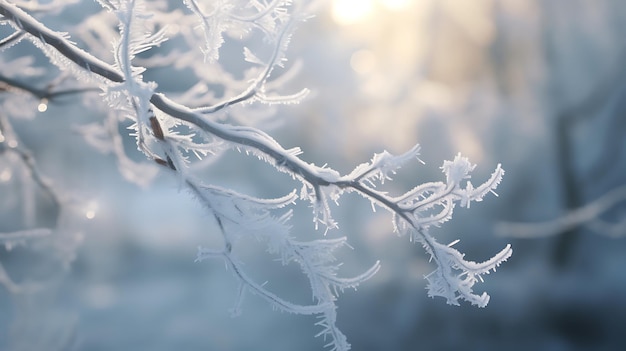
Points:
point(241, 217)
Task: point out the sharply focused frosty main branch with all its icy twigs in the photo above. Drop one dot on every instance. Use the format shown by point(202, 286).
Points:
point(177, 132)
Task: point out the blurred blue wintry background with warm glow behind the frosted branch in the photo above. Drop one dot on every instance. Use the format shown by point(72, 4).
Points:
point(536, 85)
